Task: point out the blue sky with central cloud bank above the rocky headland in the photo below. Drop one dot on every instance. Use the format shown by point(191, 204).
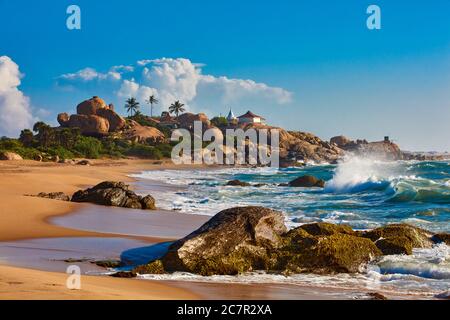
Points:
point(314, 65)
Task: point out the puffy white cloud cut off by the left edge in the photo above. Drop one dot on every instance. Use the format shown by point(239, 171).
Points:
point(15, 110)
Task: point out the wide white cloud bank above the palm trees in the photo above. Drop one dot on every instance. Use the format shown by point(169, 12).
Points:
point(178, 79)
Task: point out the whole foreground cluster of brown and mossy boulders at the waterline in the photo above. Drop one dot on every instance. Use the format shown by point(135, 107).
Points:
point(246, 239)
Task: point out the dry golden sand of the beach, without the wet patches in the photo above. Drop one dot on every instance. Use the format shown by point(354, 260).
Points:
point(25, 217)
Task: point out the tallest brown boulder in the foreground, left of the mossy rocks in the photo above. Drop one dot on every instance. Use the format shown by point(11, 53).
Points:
point(233, 241)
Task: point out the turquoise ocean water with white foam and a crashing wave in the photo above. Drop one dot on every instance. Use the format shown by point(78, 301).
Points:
point(362, 192)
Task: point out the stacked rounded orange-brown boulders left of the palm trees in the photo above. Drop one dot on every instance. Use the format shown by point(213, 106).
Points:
point(94, 117)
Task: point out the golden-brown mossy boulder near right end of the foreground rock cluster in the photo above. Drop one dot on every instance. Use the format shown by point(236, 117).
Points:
point(400, 238)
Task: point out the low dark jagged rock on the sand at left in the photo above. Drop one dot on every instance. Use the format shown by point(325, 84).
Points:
point(116, 194)
